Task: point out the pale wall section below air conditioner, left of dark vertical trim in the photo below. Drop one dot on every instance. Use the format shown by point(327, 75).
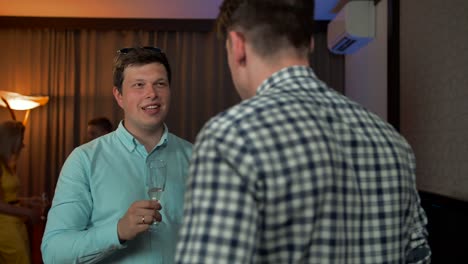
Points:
point(366, 70)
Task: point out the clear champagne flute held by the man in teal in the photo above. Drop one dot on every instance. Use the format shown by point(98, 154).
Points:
point(156, 182)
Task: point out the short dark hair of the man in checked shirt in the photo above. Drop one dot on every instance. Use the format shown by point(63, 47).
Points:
point(271, 25)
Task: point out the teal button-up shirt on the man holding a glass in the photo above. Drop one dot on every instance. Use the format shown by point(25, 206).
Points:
point(98, 183)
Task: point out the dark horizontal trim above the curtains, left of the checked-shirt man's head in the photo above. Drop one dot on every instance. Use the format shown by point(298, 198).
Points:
point(107, 23)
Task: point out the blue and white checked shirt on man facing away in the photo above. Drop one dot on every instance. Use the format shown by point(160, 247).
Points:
point(301, 174)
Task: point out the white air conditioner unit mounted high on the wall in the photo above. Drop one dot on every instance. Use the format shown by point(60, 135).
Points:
point(352, 28)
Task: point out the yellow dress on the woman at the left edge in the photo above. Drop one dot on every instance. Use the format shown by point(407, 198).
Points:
point(14, 242)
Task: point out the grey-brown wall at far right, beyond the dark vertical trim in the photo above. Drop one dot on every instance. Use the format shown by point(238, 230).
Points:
point(434, 92)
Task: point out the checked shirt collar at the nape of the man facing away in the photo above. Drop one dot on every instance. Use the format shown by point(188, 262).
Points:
point(285, 74)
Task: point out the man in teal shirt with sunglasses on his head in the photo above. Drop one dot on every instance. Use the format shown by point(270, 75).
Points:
point(101, 211)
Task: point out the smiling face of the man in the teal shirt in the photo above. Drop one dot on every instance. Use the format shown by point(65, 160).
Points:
point(145, 97)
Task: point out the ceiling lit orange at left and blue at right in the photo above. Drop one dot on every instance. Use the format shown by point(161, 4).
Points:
point(175, 9)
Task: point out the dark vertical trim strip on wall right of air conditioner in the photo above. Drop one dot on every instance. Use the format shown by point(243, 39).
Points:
point(393, 70)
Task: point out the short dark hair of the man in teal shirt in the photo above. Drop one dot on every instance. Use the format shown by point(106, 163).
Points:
point(137, 56)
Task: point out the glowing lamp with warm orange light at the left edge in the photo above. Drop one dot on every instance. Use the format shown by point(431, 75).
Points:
point(16, 101)
